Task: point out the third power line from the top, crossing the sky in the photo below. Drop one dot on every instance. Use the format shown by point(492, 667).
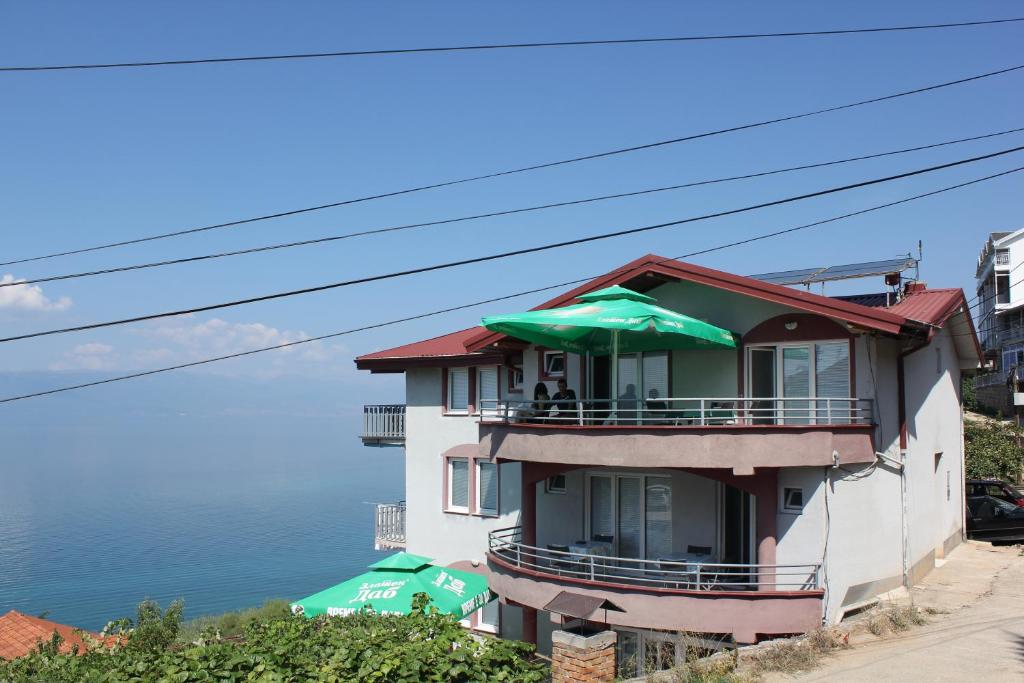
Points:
point(446, 222)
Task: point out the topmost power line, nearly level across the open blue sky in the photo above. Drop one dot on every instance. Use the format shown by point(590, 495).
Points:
point(503, 47)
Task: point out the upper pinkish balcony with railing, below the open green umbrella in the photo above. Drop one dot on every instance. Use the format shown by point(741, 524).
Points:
point(724, 433)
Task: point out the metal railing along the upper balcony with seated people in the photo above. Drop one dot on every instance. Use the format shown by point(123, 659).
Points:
point(682, 412)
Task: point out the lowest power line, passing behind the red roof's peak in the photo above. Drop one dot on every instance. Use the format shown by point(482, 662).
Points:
point(738, 243)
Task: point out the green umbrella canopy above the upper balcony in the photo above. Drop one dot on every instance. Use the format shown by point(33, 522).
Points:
point(590, 327)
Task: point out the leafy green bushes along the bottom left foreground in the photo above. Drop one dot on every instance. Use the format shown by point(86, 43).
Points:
point(421, 647)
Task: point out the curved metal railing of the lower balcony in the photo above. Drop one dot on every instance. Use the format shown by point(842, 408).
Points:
point(653, 574)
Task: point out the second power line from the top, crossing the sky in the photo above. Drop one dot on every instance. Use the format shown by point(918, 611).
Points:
point(523, 169)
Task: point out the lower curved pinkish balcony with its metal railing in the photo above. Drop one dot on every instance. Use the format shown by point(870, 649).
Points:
point(746, 601)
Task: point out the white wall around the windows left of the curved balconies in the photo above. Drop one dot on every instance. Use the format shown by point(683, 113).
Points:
point(445, 537)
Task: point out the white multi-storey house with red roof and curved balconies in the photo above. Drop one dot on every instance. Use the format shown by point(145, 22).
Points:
point(745, 498)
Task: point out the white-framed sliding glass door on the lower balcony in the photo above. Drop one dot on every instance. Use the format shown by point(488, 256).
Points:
point(634, 511)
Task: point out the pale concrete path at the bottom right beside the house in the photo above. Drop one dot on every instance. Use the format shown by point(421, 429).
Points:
point(982, 638)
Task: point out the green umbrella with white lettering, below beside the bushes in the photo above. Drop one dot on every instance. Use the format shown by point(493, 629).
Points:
point(390, 586)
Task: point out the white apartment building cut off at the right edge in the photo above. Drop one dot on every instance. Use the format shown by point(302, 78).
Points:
point(1001, 320)
